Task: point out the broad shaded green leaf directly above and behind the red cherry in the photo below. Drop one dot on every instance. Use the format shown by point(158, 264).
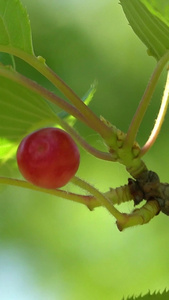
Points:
point(21, 111)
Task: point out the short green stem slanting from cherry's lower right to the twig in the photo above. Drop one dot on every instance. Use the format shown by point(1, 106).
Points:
point(100, 197)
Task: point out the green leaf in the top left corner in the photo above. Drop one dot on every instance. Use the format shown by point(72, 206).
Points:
point(15, 32)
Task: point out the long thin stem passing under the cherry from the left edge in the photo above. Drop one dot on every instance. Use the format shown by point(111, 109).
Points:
point(89, 201)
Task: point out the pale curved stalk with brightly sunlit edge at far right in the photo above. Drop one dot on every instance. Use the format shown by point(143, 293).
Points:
point(159, 121)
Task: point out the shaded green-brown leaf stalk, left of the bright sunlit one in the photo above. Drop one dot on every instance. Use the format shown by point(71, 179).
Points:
point(142, 108)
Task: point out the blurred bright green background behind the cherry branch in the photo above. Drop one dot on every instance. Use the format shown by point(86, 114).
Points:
point(55, 249)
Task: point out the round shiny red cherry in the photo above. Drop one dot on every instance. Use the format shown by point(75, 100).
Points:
point(48, 158)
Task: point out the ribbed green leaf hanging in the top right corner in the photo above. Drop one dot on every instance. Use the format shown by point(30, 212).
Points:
point(149, 27)
